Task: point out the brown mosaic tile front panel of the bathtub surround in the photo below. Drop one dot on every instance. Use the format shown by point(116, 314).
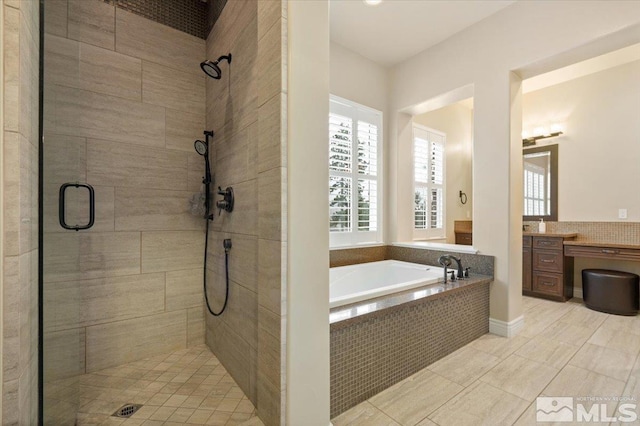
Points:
point(371, 355)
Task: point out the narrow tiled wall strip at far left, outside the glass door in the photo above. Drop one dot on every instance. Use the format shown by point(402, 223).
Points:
point(20, 212)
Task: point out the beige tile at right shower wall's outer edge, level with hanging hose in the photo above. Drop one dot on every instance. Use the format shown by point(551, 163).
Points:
point(271, 270)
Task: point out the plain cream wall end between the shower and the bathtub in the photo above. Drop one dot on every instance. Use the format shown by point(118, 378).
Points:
point(307, 358)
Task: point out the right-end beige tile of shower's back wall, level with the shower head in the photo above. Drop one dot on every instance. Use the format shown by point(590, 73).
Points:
point(170, 88)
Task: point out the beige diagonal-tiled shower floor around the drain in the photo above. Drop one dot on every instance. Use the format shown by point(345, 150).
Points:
point(185, 387)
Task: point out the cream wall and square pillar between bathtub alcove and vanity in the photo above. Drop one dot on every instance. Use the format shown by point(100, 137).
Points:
point(523, 36)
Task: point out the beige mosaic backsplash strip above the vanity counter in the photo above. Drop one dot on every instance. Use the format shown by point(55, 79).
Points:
point(606, 232)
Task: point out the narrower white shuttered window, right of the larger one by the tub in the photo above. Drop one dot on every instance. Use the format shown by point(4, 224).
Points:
point(428, 183)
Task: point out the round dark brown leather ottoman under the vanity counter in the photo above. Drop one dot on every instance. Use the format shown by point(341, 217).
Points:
point(613, 292)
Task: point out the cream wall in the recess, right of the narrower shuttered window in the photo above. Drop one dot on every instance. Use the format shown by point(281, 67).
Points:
point(456, 121)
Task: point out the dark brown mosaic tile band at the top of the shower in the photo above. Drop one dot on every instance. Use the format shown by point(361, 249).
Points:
point(194, 17)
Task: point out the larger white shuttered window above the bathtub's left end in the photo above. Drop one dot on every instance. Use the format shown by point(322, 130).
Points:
point(355, 183)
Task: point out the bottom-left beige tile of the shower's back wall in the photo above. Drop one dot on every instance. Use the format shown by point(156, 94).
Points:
point(65, 354)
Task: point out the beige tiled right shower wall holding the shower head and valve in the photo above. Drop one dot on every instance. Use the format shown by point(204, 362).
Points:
point(246, 109)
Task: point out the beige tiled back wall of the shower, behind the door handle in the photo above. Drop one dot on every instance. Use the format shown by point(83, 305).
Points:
point(124, 100)
